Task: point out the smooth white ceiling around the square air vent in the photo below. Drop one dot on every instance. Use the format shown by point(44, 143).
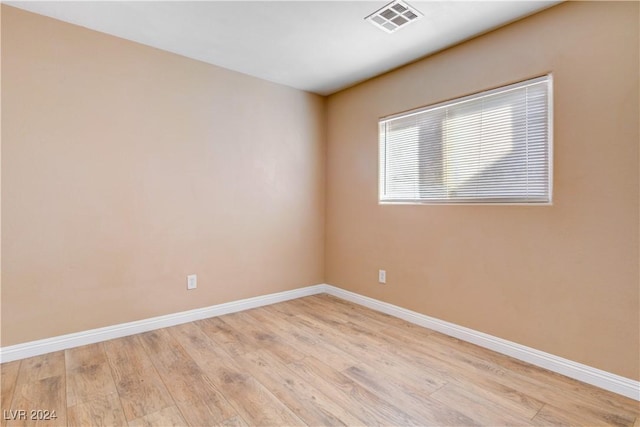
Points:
point(317, 46)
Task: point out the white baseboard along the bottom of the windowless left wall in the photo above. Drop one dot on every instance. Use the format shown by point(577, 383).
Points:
point(63, 342)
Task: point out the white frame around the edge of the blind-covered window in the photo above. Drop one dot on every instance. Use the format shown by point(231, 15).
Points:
point(548, 77)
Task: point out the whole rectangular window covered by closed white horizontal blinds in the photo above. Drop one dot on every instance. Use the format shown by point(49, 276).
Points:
point(491, 147)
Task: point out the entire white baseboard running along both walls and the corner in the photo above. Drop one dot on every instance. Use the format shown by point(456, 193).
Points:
point(571, 369)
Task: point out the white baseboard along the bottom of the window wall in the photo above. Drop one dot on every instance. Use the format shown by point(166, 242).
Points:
point(597, 377)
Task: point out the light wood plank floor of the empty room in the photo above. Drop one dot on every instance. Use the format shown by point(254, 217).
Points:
point(313, 361)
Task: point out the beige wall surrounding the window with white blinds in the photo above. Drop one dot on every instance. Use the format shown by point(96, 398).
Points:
point(562, 279)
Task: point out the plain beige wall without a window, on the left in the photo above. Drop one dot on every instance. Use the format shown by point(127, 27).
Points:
point(125, 168)
